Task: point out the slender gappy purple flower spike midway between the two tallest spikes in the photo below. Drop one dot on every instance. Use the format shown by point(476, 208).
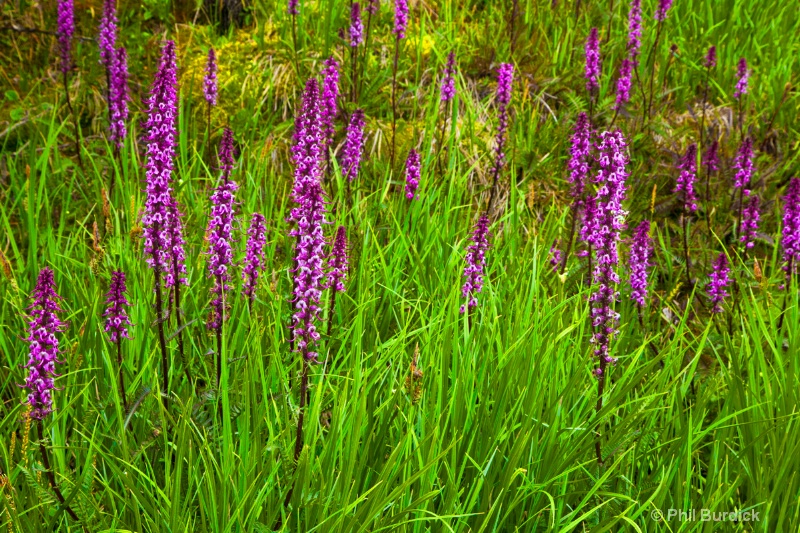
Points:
point(220, 226)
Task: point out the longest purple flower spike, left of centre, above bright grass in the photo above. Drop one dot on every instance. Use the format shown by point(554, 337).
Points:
point(309, 215)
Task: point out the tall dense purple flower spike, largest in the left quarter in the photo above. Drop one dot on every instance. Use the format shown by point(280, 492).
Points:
point(160, 138)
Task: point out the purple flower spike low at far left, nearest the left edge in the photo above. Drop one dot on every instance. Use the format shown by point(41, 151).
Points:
point(43, 344)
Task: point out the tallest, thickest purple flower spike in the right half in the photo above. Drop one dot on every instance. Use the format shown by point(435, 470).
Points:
point(610, 221)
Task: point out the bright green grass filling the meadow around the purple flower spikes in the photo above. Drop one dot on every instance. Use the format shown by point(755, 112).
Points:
point(701, 412)
